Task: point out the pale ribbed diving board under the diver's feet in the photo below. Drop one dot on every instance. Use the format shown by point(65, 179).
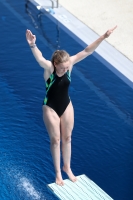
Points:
point(83, 189)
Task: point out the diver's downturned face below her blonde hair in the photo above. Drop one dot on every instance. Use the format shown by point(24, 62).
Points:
point(62, 68)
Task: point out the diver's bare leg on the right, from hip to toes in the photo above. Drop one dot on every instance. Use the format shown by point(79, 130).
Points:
point(67, 122)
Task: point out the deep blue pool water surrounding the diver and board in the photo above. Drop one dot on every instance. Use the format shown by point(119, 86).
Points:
point(102, 140)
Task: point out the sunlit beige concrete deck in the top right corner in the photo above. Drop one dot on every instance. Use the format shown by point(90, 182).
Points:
point(104, 14)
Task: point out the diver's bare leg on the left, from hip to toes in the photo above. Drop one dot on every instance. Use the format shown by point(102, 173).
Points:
point(52, 123)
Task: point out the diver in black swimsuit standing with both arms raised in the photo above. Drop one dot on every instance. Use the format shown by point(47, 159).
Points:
point(58, 113)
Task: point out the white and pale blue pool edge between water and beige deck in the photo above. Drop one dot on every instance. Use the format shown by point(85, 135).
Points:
point(106, 53)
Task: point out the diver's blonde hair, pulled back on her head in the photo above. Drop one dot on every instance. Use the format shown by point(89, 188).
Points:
point(59, 56)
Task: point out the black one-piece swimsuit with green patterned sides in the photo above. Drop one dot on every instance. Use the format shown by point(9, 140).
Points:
point(57, 92)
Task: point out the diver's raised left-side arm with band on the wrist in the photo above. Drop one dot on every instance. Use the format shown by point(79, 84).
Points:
point(31, 39)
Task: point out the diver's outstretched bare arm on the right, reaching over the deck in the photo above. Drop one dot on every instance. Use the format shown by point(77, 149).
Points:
point(90, 48)
